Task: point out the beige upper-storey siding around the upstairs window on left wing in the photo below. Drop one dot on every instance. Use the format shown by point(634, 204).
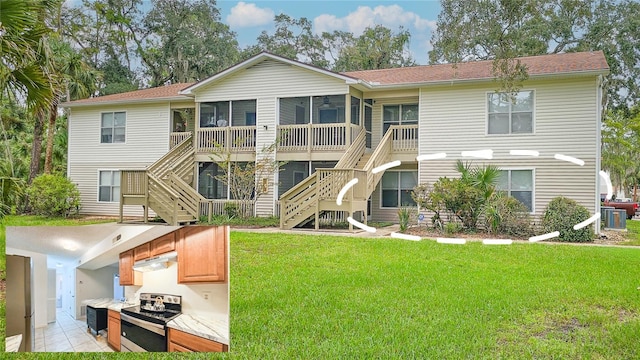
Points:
point(146, 134)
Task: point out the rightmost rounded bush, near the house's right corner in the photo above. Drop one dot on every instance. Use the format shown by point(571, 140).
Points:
point(561, 215)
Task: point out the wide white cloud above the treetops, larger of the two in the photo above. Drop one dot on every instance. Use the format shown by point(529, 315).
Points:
point(391, 16)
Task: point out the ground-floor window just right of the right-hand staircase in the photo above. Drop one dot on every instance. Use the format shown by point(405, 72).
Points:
point(397, 187)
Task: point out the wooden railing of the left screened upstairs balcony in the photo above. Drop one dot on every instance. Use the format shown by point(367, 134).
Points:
point(234, 138)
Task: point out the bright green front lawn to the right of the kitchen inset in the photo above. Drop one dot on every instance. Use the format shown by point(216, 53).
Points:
point(332, 297)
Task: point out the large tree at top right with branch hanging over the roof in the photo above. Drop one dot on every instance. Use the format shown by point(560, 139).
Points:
point(503, 30)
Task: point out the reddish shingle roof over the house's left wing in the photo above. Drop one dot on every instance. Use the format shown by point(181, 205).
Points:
point(161, 92)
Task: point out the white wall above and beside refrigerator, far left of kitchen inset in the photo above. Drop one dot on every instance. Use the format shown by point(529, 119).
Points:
point(39, 262)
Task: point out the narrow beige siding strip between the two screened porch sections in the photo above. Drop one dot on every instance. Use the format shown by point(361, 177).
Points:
point(266, 116)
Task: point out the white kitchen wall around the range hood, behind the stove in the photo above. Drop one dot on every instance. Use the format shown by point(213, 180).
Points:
point(166, 282)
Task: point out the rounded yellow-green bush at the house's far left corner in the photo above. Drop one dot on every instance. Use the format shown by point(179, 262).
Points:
point(53, 195)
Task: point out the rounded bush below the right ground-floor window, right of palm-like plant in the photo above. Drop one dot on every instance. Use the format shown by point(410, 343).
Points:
point(506, 215)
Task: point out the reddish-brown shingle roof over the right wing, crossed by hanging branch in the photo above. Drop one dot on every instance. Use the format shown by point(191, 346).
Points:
point(536, 65)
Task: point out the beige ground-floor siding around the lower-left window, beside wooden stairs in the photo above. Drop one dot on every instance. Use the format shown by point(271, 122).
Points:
point(86, 176)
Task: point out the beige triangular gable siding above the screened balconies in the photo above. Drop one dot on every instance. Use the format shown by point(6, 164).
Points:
point(271, 78)
